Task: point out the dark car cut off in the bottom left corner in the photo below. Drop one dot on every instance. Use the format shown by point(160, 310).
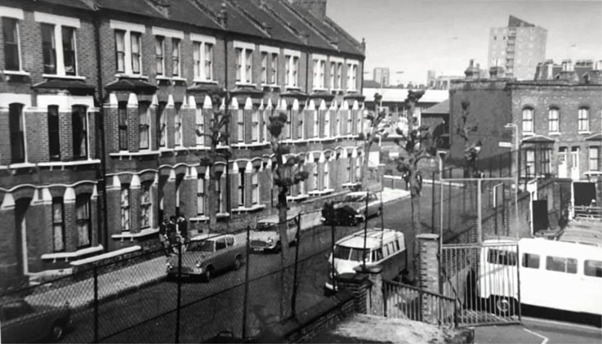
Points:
point(23, 323)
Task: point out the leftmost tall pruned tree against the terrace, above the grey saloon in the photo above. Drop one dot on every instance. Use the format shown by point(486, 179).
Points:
point(217, 133)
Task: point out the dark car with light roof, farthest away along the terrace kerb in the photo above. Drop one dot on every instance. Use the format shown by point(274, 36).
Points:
point(352, 209)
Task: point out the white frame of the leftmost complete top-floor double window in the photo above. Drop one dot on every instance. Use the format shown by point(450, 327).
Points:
point(59, 22)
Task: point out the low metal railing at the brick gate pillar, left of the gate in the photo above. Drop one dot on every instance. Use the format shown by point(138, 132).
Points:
point(407, 302)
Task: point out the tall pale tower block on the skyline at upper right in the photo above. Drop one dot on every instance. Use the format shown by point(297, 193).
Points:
point(517, 48)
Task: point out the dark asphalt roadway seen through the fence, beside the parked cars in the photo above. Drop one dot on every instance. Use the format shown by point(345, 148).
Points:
point(148, 314)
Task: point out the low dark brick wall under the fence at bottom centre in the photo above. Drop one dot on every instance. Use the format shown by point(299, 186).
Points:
point(312, 321)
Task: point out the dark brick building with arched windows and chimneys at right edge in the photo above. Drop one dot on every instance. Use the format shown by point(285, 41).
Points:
point(557, 117)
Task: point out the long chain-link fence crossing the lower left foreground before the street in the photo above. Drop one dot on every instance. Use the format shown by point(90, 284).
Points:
point(166, 295)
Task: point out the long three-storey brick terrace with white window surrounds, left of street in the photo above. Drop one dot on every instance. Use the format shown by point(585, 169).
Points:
point(102, 103)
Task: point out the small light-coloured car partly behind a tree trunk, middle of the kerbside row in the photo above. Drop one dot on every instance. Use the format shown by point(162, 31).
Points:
point(266, 236)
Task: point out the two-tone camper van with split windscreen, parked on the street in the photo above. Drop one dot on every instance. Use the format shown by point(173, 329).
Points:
point(383, 247)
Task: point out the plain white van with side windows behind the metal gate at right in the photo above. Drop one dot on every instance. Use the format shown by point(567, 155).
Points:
point(552, 274)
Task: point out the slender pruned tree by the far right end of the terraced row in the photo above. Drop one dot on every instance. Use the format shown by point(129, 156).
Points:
point(370, 134)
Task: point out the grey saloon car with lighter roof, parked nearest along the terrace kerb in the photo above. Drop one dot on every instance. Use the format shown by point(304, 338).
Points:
point(207, 255)
